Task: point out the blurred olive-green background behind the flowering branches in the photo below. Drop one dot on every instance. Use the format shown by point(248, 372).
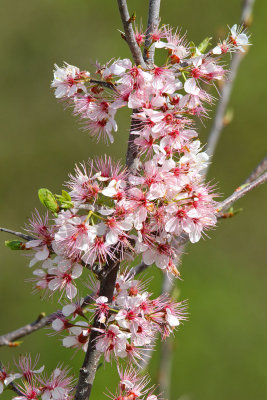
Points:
point(221, 352)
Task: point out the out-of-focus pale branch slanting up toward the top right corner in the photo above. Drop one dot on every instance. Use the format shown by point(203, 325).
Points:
point(218, 123)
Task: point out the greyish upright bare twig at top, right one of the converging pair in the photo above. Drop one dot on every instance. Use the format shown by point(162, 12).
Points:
point(152, 22)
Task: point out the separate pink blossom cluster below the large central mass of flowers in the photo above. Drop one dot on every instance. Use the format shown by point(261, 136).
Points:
point(126, 326)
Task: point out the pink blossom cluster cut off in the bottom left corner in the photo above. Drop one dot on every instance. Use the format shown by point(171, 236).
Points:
point(32, 384)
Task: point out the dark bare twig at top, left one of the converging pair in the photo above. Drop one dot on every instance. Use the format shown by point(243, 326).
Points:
point(129, 33)
